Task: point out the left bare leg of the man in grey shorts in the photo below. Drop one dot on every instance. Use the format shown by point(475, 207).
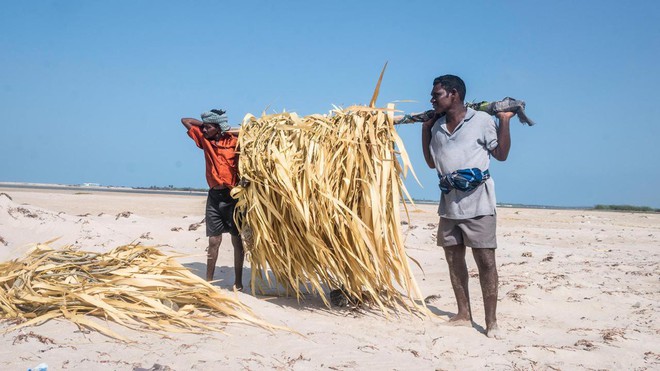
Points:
point(458, 275)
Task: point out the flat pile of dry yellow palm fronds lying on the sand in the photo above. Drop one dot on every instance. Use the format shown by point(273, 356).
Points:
point(133, 285)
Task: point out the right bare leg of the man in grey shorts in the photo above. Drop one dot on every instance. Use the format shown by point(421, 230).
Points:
point(485, 259)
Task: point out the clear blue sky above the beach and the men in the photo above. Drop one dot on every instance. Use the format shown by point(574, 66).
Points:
point(92, 91)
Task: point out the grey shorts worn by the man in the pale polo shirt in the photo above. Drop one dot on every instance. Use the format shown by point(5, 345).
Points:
point(479, 232)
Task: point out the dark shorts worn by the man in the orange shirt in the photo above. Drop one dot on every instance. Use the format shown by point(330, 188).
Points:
point(220, 213)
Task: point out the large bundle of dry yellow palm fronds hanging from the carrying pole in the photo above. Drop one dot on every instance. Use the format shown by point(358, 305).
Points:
point(322, 204)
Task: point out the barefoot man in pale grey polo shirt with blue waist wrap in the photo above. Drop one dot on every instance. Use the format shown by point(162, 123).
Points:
point(458, 142)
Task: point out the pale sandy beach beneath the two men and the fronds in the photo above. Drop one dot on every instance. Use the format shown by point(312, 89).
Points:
point(578, 290)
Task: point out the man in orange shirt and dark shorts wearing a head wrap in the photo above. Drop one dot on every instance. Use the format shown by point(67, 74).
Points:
point(214, 137)
